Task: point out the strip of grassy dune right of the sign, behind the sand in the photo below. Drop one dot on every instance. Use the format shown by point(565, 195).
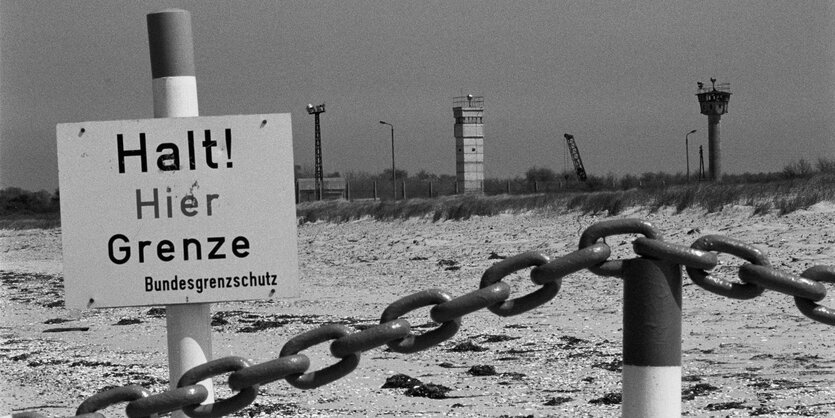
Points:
point(779, 197)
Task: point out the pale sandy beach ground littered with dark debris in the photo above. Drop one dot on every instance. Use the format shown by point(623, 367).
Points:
point(758, 357)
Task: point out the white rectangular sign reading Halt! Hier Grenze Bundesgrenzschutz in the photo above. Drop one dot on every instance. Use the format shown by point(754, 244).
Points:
point(177, 210)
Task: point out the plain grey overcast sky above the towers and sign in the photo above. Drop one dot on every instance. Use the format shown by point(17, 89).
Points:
point(620, 76)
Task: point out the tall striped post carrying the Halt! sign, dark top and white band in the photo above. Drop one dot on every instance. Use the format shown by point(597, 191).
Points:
point(188, 326)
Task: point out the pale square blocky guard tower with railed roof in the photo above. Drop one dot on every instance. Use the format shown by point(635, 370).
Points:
point(469, 143)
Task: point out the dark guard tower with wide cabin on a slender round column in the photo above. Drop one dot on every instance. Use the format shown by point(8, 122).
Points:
point(713, 102)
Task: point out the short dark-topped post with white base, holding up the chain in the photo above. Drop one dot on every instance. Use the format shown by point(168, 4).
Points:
point(651, 338)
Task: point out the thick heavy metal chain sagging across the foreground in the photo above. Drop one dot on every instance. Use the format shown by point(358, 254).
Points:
point(755, 277)
